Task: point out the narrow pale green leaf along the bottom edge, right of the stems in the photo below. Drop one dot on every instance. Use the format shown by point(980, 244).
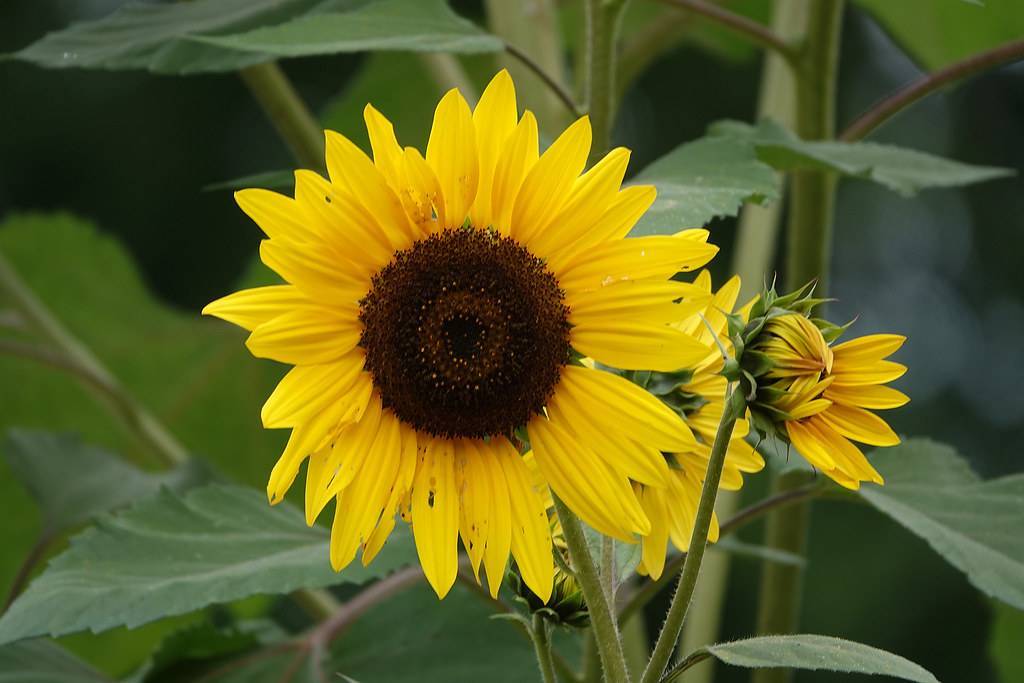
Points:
point(817, 654)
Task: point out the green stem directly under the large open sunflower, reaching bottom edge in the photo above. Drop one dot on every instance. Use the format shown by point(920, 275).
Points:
point(603, 620)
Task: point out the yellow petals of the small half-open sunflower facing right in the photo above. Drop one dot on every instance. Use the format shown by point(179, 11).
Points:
point(822, 396)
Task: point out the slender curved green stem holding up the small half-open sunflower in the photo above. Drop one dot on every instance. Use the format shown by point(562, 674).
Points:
point(735, 407)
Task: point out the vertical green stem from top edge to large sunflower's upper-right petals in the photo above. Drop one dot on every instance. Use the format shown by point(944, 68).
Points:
point(604, 18)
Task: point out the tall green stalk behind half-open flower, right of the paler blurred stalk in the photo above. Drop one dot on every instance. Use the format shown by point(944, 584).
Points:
point(809, 232)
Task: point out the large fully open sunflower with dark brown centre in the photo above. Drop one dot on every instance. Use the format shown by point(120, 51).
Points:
point(434, 308)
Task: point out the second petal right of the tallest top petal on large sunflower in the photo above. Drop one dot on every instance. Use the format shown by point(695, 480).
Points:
point(546, 188)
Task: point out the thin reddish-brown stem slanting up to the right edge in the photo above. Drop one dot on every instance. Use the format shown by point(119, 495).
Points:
point(930, 83)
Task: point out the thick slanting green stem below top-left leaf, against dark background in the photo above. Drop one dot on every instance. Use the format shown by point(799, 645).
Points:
point(287, 112)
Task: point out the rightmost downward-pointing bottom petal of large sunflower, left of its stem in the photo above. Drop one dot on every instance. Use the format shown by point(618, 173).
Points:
point(531, 533)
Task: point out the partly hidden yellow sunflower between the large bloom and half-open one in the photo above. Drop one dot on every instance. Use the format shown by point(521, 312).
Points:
point(702, 400)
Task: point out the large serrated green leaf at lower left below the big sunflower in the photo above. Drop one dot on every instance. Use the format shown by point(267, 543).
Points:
point(172, 556)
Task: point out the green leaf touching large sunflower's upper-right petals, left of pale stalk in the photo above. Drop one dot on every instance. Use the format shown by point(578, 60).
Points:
point(703, 181)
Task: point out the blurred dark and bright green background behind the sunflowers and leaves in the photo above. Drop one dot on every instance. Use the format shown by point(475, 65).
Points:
point(105, 207)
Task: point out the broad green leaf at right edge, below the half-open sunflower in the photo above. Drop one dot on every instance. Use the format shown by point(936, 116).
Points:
point(974, 525)
